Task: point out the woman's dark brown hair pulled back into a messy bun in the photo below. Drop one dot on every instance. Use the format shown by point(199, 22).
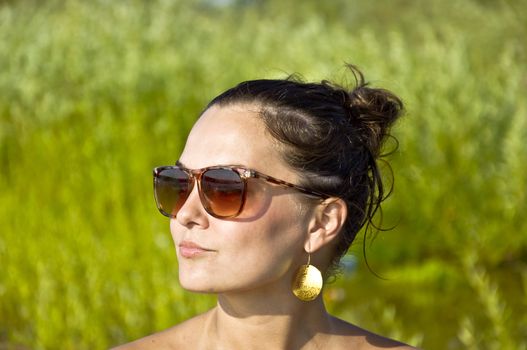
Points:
point(333, 137)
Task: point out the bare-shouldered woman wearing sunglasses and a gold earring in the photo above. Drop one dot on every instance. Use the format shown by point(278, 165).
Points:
point(275, 180)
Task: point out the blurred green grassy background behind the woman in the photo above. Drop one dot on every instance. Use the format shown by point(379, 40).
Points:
point(94, 94)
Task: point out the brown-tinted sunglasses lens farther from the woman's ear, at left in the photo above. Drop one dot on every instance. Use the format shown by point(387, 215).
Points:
point(172, 188)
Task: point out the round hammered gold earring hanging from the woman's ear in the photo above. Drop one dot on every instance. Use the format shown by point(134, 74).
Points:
point(307, 283)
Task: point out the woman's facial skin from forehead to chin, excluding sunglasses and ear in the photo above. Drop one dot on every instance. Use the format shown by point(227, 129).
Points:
point(262, 246)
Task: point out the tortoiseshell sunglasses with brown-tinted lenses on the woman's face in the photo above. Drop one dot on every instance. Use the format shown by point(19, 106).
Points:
point(222, 189)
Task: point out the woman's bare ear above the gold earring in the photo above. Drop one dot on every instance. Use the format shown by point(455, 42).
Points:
point(326, 223)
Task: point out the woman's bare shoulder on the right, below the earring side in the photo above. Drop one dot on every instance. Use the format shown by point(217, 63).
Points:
point(351, 336)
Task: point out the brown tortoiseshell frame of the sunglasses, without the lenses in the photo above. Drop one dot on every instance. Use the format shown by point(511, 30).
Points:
point(195, 176)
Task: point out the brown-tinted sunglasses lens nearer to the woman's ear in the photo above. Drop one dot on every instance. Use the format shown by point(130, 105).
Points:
point(222, 192)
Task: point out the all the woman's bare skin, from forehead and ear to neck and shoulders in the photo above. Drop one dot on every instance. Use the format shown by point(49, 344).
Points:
point(250, 261)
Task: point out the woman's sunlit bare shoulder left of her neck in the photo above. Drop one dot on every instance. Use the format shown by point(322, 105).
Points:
point(181, 336)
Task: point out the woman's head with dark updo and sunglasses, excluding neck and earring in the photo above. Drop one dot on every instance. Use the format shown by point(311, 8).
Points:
point(318, 136)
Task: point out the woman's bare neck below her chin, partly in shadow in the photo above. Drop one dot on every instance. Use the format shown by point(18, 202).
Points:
point(252, 321)
